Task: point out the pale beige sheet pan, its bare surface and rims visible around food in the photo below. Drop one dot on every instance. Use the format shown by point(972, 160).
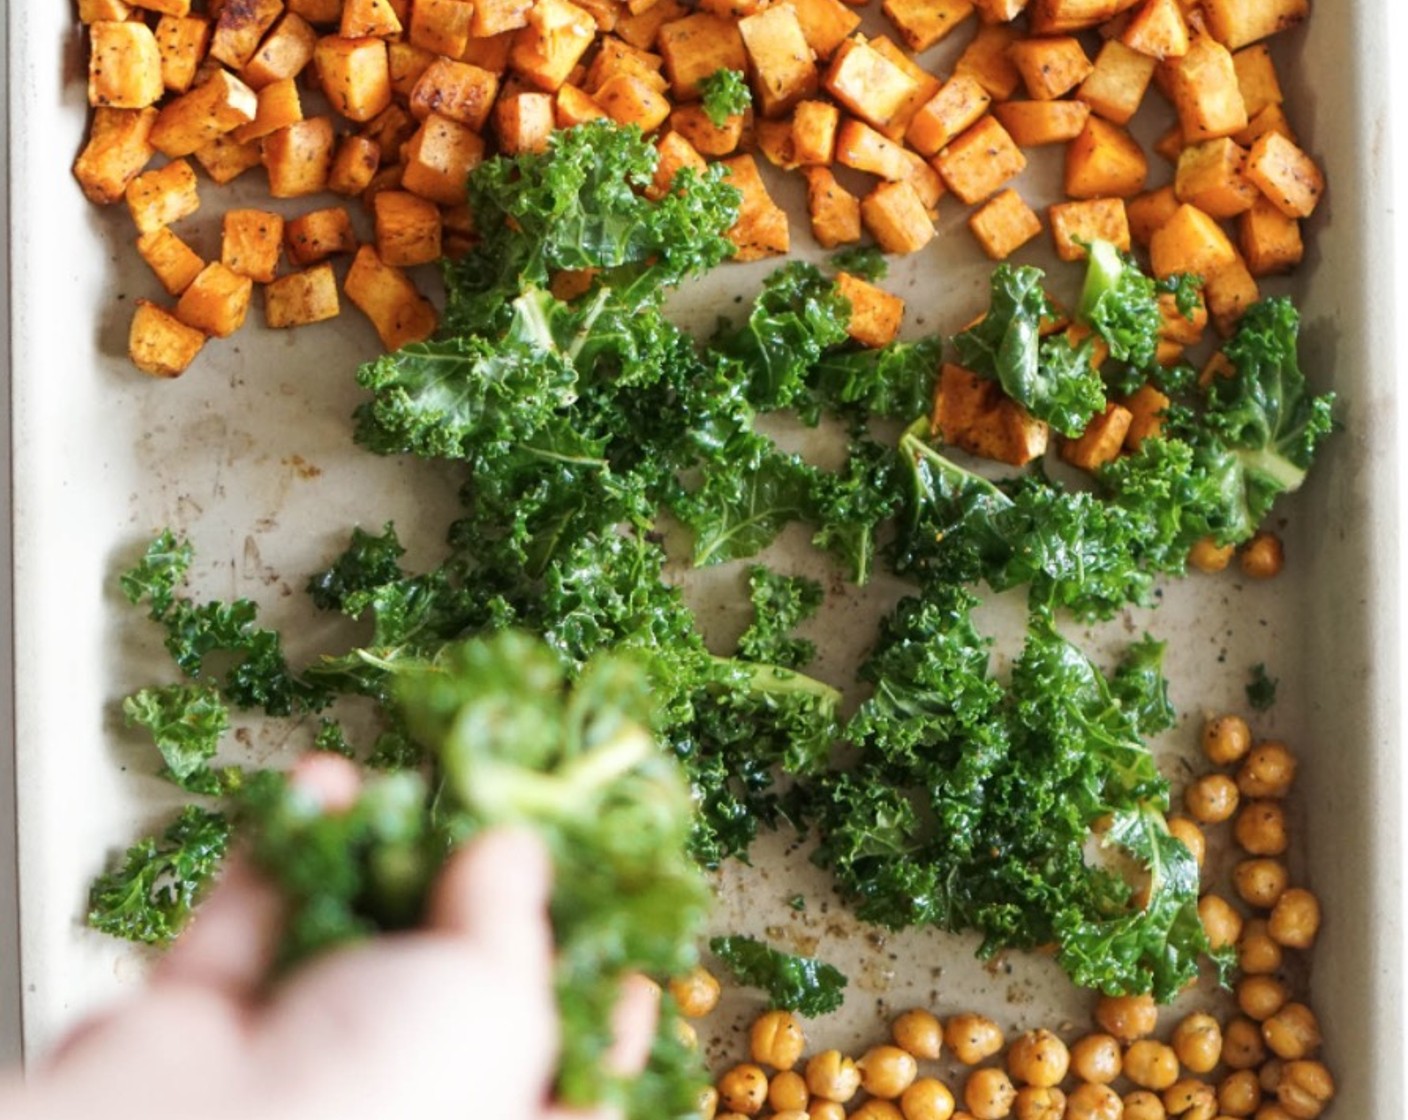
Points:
point(250, 453)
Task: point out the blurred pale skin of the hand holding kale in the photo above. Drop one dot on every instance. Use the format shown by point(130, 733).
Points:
point(454, 1018)
